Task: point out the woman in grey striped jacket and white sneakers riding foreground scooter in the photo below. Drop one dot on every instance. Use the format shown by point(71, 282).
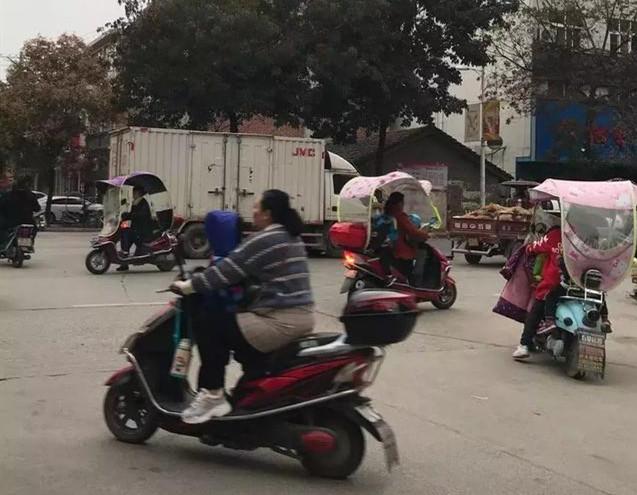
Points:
point(283, 312)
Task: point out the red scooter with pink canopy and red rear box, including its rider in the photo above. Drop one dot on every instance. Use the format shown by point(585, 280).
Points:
point(383, 255)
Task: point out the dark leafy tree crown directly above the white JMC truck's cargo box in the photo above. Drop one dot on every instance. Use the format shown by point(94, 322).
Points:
point(196, 63)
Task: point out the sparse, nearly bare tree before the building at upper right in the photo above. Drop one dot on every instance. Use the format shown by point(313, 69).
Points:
point(571, 51)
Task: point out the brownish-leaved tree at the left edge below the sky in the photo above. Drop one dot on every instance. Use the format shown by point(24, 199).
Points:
point(53, 92)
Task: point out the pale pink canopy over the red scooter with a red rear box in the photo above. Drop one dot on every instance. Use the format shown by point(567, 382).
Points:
point(361, 195)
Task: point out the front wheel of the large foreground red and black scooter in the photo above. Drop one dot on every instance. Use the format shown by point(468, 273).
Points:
point(127, 413)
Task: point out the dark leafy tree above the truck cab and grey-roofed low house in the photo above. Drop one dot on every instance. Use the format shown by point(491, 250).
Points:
point(377, 61)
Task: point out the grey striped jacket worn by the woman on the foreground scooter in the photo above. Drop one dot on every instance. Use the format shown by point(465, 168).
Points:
point(277, 260)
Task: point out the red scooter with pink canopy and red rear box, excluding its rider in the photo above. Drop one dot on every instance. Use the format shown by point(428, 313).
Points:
point(360, 202)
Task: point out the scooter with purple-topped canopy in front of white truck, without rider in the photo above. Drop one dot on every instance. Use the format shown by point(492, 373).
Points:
point(117, 192)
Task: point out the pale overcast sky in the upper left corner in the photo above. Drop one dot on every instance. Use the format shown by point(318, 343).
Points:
point(21, 20)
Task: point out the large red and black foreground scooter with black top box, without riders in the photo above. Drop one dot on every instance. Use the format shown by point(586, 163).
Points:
point(306, 403)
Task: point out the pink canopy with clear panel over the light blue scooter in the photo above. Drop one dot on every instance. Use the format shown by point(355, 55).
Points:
point(598, 226)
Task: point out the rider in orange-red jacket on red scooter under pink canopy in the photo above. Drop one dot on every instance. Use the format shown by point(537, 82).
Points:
point(403, 254)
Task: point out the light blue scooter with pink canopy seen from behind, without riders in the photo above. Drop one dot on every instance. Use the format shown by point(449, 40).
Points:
point(598, 243)
